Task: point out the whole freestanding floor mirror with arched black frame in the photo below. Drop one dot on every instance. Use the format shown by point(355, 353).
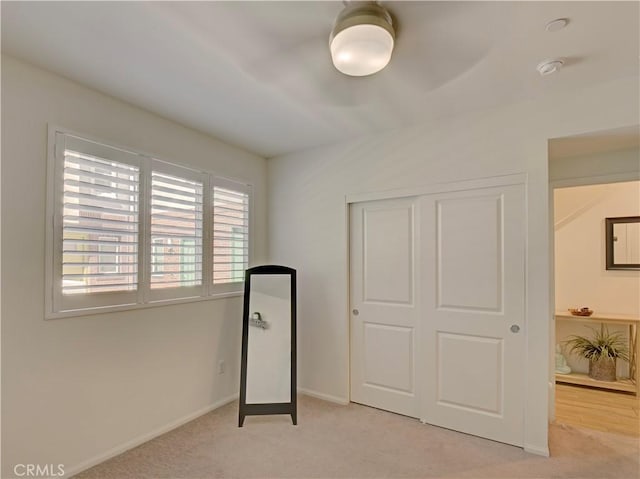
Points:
point(268, 369)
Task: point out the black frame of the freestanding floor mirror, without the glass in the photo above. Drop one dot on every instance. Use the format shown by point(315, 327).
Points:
point(267, 408)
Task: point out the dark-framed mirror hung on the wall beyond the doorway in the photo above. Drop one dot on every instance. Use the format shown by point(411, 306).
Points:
point(623, 242)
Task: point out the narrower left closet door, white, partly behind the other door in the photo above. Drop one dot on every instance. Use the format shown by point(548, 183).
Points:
point(383, 305)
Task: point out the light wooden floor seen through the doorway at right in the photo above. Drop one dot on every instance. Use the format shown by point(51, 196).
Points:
point(609, 411)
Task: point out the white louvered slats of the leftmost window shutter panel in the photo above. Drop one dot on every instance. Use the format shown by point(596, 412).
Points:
point(99, 225)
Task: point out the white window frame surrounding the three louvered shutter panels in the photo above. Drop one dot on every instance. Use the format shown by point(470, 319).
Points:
point(58, 305)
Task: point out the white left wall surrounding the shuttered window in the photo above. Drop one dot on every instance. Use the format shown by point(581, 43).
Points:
point(74, 389)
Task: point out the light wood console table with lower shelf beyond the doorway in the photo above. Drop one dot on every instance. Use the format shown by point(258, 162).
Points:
point(629, 384)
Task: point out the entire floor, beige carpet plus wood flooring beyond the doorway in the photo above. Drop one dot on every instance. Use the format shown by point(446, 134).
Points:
point(354, 441)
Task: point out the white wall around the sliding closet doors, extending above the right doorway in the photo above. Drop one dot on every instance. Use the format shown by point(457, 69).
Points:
point(308, 222)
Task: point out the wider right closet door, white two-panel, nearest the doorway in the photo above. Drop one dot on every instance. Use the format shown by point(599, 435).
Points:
point(472, 321)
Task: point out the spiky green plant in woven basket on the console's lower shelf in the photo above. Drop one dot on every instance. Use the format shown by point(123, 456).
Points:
point(602, 350)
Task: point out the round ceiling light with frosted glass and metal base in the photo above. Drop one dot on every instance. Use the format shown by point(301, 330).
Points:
point(362, 39)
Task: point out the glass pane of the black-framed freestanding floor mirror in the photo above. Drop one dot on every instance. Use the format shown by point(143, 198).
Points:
point(269, 339)
